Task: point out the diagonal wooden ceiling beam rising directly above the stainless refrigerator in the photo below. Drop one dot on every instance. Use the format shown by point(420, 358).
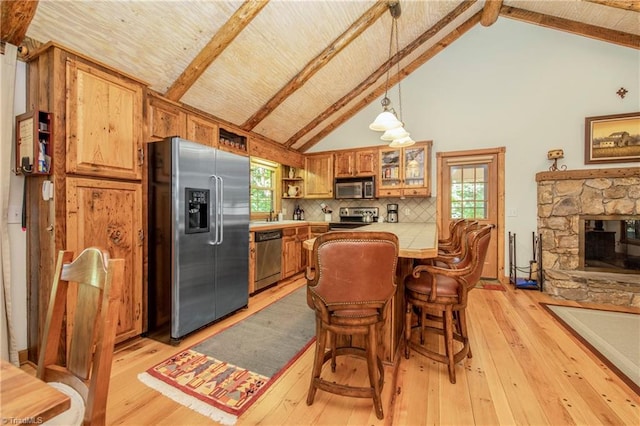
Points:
point(218, 43)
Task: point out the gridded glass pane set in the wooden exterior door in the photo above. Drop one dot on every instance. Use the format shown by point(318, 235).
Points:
point(469, 191)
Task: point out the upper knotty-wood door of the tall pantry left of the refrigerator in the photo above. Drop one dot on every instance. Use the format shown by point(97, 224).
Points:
point(103, 126)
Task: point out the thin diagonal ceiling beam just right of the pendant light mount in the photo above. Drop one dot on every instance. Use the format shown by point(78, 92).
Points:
point(381, 71)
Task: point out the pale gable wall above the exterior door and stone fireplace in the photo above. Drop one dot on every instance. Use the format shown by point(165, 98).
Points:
point(516, 85)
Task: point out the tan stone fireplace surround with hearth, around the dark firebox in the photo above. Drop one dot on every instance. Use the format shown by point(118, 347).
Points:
point(562, 197)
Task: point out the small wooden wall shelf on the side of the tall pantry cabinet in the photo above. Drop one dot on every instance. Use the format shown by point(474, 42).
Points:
point(34, 135)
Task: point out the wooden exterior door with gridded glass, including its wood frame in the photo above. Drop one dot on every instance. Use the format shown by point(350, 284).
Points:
point(471, 186)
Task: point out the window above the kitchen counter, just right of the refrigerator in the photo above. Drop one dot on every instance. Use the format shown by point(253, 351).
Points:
point(263, 188)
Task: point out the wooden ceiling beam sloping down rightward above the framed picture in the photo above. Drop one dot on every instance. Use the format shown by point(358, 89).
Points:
point(579, 28)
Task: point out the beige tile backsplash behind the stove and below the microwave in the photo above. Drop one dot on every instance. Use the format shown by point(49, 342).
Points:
point(409, 209)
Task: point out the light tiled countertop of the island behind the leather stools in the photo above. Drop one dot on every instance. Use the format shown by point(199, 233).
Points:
point(417, 240)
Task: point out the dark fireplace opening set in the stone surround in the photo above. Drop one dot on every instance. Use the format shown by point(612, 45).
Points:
point(610, 243)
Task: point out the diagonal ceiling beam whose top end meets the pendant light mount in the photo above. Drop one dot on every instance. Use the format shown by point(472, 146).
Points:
point(357, 28)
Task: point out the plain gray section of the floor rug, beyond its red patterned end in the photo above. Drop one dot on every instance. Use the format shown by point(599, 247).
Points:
point(268, 340)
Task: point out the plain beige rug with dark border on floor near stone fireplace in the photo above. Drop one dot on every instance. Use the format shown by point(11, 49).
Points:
point(613, 336)
